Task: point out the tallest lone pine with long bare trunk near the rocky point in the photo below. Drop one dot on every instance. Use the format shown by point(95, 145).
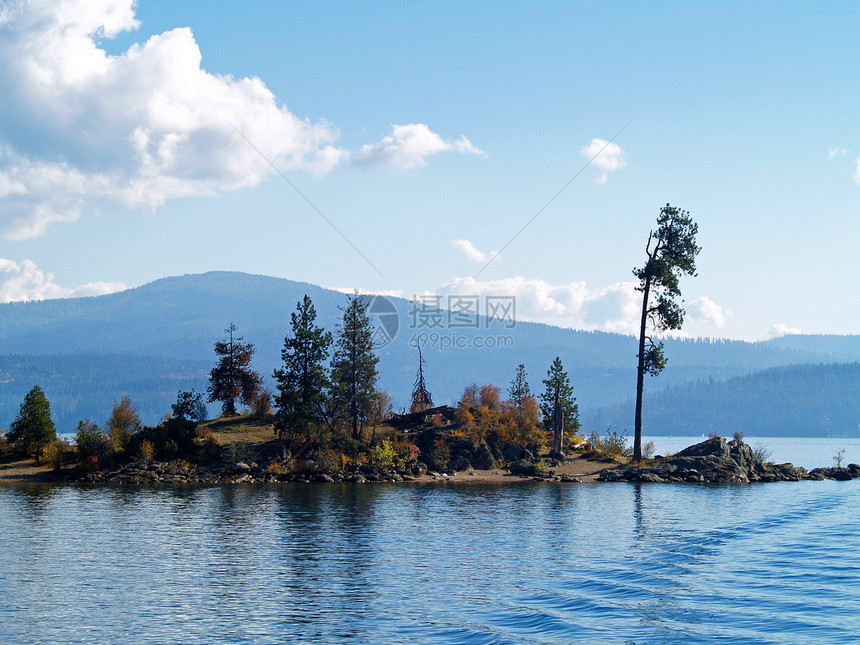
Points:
point(672, 255)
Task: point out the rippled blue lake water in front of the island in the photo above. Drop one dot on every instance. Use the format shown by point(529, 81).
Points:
point(438, 563)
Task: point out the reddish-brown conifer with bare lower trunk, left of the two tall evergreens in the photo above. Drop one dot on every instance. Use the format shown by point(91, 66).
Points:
point(232, 378)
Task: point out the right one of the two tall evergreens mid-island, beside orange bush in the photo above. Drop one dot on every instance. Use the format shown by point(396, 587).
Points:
point(354, 366)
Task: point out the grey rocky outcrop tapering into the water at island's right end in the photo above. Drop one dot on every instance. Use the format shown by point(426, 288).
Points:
point(719, 461)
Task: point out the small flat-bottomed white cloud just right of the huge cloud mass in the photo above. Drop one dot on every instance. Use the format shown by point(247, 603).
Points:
point(408, 146)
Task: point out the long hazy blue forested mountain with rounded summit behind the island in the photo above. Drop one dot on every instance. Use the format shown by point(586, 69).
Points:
point(153, 340)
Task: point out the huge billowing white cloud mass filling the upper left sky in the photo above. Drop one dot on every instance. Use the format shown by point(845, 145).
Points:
point(79, 126)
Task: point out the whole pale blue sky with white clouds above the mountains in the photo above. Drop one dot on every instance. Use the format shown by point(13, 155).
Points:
point(413, 141)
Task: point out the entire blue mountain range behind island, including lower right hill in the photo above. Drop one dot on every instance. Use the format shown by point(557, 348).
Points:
point(152, 341)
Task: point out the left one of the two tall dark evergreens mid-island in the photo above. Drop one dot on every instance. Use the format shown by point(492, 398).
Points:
point(303, 382)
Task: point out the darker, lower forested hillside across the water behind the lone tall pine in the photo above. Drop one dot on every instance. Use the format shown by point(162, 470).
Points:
point(798, 400)
